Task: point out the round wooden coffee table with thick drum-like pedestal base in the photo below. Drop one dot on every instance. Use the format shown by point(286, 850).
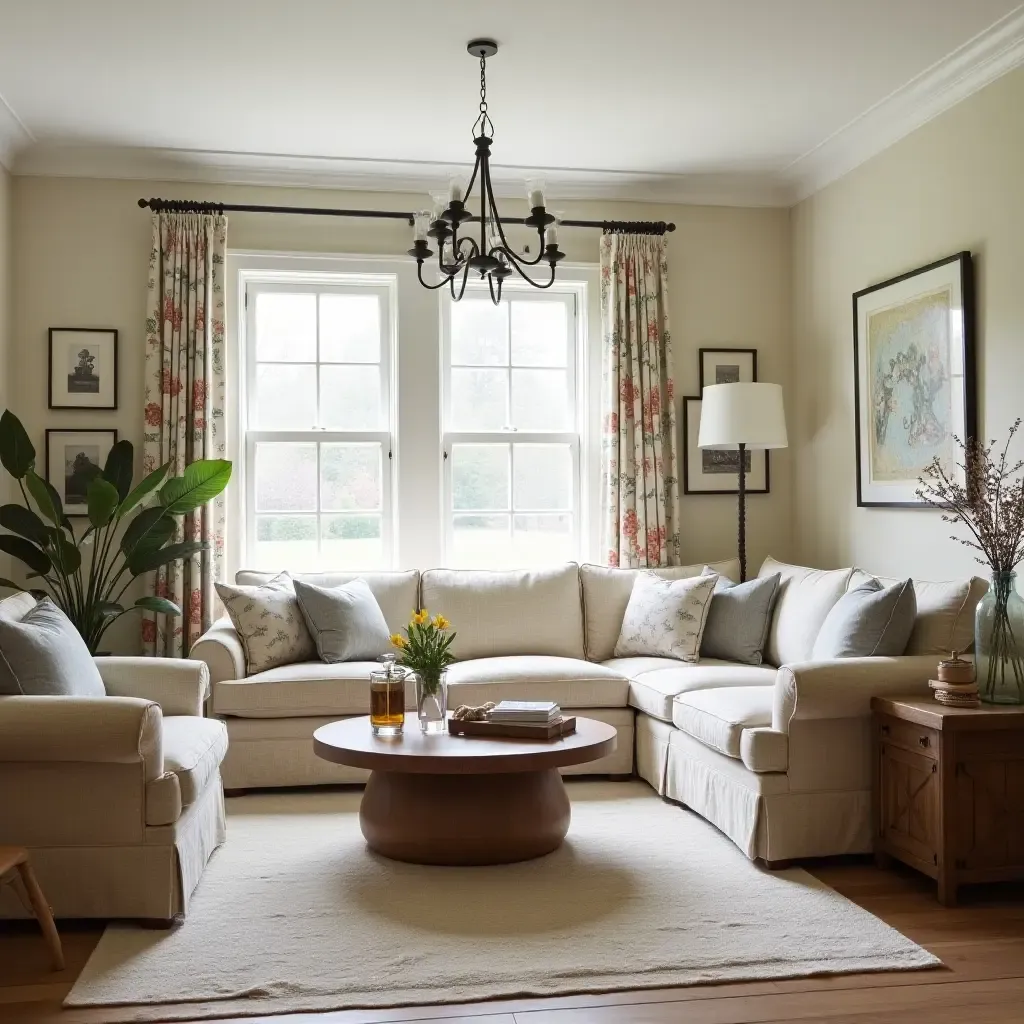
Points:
point(462, 800)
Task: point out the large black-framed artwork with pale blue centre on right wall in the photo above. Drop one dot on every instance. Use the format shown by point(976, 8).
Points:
point(915, 383)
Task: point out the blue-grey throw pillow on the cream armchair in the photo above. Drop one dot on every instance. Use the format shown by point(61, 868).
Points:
point(42, 655)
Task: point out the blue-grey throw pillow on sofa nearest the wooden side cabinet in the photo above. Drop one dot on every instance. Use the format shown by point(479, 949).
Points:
point(870, 621)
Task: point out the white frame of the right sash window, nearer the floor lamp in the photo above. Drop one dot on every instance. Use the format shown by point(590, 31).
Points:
point(572, 294)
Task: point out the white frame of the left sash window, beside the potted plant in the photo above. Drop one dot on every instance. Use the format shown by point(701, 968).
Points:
point(253, 283)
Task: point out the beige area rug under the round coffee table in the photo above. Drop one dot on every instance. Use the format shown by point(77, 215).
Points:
point(294, 914)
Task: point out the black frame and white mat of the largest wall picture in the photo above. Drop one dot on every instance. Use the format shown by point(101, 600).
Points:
point(957, 274)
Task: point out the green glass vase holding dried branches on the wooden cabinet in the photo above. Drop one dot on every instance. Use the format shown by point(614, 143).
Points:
point(999, 643)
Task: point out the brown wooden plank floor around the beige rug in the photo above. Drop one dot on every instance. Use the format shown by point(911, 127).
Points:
point(982, 944)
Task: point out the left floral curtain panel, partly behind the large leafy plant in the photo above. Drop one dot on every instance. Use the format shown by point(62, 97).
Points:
point(185, 407)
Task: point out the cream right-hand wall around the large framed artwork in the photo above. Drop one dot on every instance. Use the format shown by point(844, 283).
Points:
point(956, 184)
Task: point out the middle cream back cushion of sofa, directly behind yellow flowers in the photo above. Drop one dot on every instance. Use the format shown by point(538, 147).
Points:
point(509, 613)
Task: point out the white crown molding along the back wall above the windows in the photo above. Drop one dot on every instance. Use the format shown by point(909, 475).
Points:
point(374, 176)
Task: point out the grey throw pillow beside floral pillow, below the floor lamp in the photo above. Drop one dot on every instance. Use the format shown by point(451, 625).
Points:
point(739, 619)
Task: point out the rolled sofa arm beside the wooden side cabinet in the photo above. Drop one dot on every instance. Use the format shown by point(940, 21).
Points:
point(844, 689)
